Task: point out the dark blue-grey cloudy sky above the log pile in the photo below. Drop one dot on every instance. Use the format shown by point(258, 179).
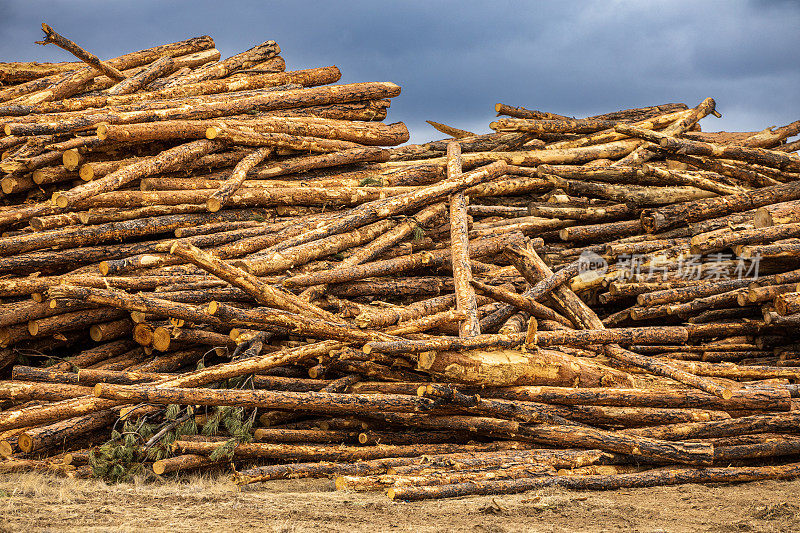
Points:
point(455, 59)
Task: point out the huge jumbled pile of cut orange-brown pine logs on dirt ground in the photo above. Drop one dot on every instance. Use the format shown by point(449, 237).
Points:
point(219, 262)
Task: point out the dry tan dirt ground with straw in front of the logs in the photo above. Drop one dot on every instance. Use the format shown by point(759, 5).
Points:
point(34, 502)
